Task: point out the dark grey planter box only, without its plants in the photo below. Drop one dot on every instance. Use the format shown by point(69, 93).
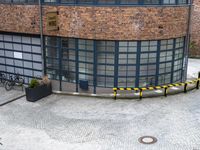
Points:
point(34, 94)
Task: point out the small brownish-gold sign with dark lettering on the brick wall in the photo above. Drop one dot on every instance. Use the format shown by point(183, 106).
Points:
point(52, 21)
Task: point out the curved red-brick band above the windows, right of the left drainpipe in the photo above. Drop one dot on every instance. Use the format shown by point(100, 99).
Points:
point(121, 23)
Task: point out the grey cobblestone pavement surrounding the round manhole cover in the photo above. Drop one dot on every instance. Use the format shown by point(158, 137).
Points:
point(81, 123)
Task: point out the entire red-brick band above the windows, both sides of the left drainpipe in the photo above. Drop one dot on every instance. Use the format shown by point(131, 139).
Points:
point(111, 23)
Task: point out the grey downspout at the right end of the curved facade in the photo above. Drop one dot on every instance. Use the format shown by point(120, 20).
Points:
point(188, 38)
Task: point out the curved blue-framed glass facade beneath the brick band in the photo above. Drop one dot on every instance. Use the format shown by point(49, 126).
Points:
point(115, 63)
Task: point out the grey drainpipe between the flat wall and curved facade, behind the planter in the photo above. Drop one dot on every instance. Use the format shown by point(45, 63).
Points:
point(41, 37)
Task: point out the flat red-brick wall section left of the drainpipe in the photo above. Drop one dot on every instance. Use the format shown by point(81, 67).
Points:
point(19, 18)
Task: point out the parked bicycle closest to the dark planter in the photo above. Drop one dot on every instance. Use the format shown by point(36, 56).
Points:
point(16, 81)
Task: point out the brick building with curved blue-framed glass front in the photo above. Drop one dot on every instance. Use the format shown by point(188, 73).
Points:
point(94, 45)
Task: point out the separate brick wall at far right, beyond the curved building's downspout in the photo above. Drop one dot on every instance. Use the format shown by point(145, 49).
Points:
point(195, 32)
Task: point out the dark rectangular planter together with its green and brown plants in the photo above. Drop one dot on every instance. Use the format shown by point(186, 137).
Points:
point(38, 89)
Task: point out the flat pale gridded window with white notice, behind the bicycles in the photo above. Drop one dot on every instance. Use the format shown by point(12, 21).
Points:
point(19, 55)
